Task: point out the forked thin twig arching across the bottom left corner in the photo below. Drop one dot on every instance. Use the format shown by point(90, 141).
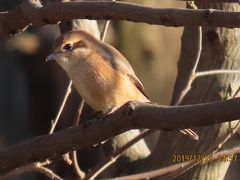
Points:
point(33, 167)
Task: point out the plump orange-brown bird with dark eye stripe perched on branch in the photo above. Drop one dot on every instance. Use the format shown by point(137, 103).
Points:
point(100, 74)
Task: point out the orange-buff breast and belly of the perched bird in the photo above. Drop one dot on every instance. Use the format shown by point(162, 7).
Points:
point(102, 86)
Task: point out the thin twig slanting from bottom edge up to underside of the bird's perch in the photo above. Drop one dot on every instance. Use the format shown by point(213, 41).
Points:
point(115, 155)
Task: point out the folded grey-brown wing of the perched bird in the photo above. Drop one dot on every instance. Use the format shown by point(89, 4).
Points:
point(119, 62)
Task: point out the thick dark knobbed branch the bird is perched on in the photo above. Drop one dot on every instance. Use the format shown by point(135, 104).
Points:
point(130, 116)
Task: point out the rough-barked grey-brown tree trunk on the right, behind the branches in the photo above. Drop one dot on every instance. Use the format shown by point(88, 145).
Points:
point(220, 50)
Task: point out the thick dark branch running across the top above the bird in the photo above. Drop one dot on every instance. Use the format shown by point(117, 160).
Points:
point(32, 12)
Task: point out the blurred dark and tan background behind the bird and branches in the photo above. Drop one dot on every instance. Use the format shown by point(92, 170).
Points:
point(31, 89)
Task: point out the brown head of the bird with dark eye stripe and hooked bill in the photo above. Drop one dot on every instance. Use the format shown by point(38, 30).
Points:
point(73, 47)
